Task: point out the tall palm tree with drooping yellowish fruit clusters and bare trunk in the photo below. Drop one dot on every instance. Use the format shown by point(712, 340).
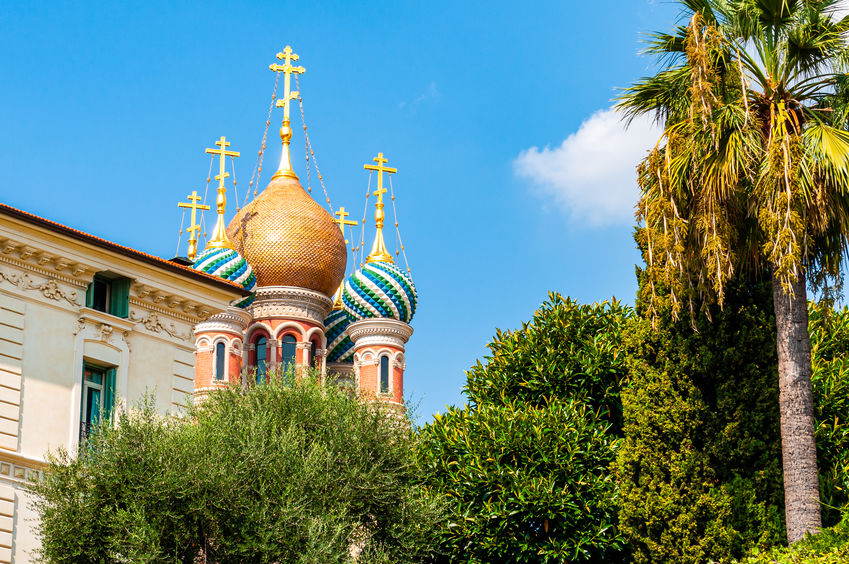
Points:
point(751, 175)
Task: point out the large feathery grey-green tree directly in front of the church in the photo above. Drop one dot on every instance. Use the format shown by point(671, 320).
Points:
point(279, 473)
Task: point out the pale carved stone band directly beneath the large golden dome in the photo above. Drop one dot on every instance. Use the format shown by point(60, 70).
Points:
point(290, 302)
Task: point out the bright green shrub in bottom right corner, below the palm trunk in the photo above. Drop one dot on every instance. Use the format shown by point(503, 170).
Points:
point(831, 546)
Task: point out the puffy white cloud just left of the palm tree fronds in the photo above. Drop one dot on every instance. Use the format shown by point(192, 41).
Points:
point(592, 174)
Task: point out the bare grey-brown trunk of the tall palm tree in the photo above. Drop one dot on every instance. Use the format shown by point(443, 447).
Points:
point(796, 403)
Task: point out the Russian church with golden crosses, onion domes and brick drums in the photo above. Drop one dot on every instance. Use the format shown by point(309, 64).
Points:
point(292, 254)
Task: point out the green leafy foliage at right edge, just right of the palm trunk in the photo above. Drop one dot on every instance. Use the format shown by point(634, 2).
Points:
point(829, 331)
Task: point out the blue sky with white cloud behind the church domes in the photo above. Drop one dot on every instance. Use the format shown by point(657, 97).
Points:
point(513, 178)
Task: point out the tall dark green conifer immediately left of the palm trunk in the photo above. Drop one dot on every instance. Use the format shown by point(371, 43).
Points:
point(699, 469)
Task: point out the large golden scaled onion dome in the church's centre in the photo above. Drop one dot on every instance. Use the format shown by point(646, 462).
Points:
point(289, 239)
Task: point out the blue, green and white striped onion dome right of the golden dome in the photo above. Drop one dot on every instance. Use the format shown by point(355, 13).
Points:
point(380, 289)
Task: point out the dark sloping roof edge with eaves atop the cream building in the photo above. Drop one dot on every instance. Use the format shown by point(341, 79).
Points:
point(120, 249)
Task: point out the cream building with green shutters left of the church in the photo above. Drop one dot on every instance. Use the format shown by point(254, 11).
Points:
point(83, 321)
